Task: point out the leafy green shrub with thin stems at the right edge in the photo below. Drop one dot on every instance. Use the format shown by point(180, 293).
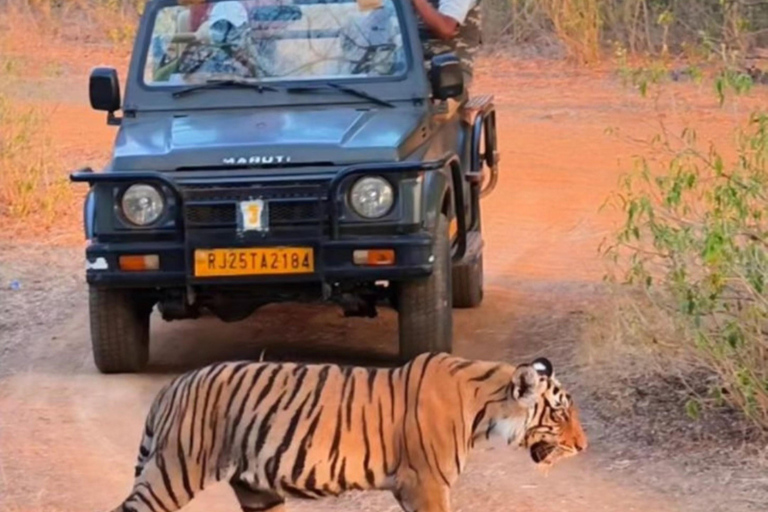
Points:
point(694, 240)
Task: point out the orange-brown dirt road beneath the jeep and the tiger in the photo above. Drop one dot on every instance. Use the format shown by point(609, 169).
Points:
point(68, 436)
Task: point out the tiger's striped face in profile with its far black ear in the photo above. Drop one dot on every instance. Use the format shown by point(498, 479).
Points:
point(553, 430)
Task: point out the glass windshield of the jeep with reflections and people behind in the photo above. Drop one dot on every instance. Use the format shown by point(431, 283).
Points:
point(274, 40)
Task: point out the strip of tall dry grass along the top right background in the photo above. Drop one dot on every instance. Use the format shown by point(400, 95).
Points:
point(584, 29)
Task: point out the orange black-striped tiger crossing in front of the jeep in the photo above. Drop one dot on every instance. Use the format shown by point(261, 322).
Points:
point(289, 430)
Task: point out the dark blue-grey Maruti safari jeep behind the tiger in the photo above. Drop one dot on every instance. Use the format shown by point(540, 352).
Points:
point(302, 151)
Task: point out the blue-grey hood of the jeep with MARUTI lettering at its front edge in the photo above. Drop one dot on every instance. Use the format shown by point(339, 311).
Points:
point(163, 142)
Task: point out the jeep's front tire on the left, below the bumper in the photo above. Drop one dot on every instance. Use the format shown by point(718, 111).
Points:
point(119, 330)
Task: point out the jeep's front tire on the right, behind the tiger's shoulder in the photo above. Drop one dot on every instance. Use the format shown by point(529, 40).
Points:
point(425, 316)
